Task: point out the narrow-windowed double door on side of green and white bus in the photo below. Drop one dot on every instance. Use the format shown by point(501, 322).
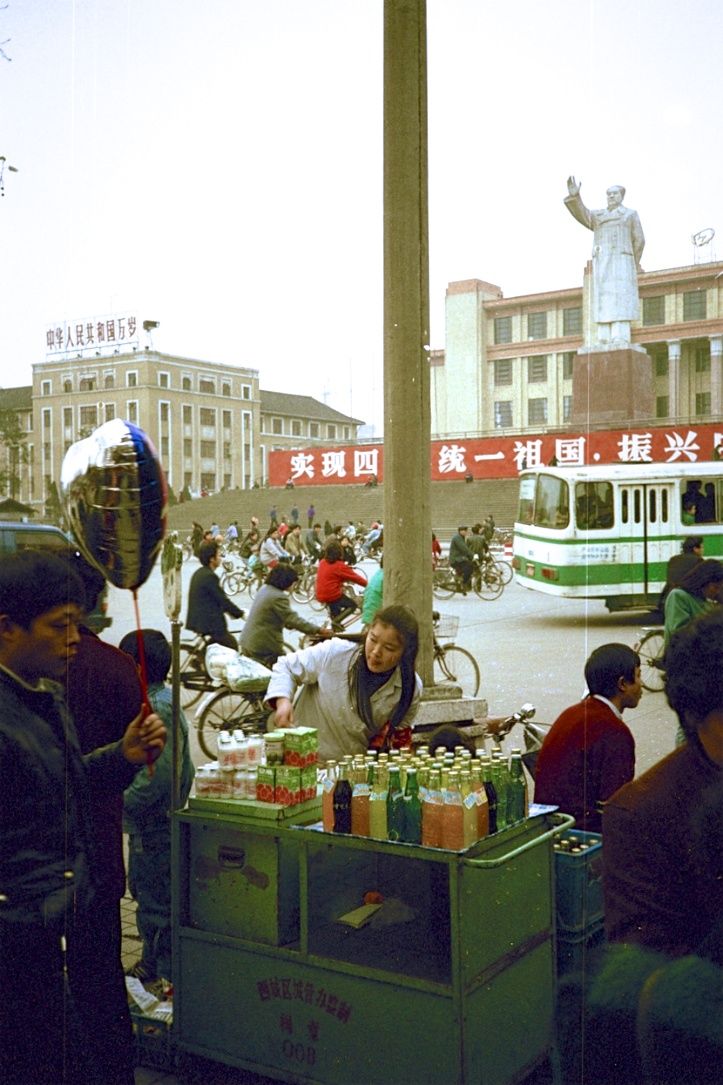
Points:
point(645, 525)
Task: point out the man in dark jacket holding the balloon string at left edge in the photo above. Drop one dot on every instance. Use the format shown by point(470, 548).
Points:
point(48, 849)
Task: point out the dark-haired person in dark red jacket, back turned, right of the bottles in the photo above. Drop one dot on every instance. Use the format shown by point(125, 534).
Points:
point(589, 752)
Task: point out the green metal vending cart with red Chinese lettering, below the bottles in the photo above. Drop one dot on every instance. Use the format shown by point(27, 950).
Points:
point(451, 981)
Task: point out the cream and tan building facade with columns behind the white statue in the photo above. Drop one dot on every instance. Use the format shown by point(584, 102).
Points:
point(509, 363)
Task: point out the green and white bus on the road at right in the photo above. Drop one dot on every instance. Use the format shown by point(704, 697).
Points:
point(607, 532)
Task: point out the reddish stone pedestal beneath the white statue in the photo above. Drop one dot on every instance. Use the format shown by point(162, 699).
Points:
point(614, 387)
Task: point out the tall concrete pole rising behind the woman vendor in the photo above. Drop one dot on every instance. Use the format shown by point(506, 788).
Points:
point(408, 518)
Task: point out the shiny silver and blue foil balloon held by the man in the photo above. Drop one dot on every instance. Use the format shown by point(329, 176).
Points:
point(116, 500)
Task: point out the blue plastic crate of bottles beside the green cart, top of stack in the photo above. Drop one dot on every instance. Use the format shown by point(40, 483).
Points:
point(579, 884)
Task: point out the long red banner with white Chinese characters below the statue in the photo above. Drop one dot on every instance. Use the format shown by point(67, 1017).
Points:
point(503, 457)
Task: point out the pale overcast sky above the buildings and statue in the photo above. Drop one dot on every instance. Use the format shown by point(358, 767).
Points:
point(217, 165)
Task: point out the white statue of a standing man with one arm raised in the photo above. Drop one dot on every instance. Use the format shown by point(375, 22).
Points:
point(618, 245)
